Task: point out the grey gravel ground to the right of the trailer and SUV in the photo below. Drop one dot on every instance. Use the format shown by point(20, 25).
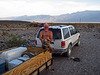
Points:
point(89, 54)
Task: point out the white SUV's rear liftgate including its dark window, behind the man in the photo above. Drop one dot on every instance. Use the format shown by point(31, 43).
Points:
point(56, 38)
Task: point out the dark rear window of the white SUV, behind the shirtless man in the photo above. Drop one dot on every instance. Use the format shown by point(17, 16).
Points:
point(56, 33)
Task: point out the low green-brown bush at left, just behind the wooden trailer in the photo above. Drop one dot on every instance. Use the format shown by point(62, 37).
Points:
point(13, 41)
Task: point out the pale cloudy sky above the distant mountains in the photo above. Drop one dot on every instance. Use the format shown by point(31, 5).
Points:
point(10, 8)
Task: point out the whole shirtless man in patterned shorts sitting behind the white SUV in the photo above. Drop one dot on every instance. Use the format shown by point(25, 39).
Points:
point(46, 37)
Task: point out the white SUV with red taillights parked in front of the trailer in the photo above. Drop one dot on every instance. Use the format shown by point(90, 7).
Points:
point(64, 38)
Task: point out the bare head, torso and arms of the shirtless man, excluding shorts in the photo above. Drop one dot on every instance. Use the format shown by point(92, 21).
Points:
point(46, 34)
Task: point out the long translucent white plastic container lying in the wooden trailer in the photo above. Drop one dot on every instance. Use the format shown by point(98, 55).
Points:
point(13, 53)
